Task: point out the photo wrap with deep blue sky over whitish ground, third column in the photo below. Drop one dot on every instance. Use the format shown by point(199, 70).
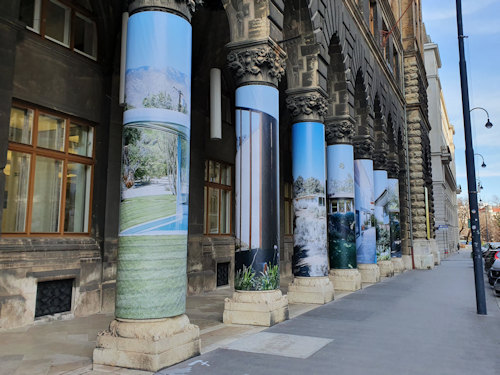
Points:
point(310, 257)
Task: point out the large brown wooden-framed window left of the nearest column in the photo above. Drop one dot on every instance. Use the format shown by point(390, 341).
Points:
point(49, 172)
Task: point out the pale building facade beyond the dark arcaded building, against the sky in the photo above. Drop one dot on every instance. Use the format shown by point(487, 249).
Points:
point(443, 157)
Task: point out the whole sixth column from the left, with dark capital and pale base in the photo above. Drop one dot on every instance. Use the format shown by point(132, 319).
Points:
point(382, 225)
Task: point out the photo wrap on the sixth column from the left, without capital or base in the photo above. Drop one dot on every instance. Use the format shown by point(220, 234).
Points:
point(382, 227)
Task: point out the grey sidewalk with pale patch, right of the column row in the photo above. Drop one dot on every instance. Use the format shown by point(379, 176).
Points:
point(421, 322)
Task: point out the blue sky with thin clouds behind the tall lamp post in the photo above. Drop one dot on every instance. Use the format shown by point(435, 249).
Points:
point(482, 47)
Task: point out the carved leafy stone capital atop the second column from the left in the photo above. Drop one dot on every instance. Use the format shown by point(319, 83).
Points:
point(257, 62)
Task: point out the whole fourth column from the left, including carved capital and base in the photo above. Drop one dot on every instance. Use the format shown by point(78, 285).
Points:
point(340, 205)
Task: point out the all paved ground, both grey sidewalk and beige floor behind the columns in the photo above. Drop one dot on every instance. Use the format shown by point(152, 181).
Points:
point(420, 322)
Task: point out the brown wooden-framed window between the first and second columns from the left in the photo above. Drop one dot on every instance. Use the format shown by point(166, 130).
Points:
point(218, 191)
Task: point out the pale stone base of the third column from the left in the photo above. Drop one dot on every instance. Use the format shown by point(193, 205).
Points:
point(318, 290)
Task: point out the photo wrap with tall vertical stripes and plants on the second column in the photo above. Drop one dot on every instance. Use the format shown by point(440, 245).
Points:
point(257, 188)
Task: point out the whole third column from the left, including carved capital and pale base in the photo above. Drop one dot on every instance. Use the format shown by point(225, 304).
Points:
point(311, 283)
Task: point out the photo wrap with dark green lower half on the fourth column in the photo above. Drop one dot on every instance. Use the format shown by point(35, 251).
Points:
point(341, 215)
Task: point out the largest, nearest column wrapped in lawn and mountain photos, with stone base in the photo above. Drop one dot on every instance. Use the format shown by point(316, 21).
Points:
point(150, 330)
